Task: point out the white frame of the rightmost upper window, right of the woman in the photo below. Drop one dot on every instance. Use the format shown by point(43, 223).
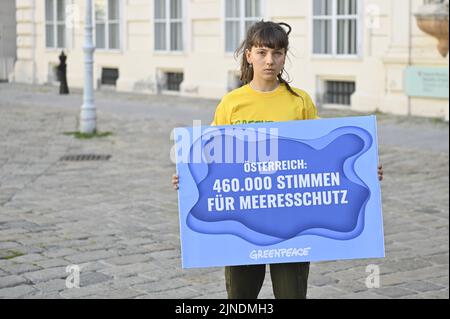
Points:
point(334, 17)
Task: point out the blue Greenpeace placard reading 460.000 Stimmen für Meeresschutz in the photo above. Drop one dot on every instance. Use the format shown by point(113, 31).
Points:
point(279, 192)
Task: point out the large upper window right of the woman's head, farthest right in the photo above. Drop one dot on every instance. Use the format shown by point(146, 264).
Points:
point(335, 27)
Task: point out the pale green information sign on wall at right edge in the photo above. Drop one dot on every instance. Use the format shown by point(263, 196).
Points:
point(427, 82)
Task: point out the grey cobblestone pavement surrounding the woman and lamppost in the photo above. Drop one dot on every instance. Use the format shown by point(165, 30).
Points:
point(117, 219)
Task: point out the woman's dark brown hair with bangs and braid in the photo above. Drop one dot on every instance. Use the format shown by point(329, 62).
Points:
point(264, 34)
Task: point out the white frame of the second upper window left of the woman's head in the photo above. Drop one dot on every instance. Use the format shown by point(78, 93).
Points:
point(167, 20)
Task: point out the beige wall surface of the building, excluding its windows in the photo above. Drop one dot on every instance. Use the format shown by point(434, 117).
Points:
point(378, 71)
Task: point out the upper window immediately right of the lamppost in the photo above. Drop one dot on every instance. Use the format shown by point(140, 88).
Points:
point(107, 24)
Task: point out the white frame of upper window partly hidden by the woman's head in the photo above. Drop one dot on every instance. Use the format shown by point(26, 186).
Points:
point(242, 19)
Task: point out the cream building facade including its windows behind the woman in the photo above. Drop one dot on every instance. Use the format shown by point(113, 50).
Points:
point(365, 55)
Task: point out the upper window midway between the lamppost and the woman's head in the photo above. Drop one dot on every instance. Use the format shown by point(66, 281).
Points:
point(168, 25)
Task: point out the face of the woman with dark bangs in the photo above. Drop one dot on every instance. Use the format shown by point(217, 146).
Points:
point(267, 63)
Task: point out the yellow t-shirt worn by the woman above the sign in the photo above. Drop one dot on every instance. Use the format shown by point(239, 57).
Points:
point(245, 105)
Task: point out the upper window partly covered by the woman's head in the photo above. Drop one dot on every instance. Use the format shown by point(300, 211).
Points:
point(239, 16)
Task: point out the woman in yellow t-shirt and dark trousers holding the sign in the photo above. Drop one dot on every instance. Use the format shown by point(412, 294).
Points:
point(265, 97)
